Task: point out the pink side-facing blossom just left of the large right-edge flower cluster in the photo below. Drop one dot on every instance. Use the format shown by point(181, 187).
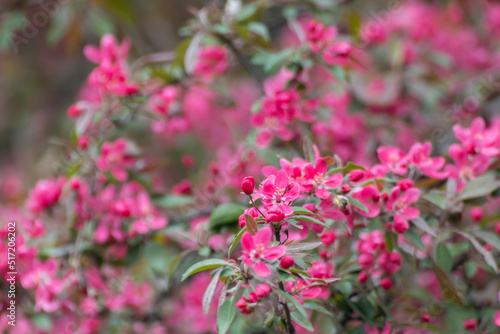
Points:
point(419, 156)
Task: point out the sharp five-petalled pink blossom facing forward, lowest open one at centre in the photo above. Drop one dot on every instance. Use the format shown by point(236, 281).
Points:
point(255, 250)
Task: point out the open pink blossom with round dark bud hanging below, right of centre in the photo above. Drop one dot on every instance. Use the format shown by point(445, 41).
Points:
point(399, 203)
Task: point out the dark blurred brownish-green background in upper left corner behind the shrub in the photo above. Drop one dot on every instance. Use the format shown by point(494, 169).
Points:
point(42, 66)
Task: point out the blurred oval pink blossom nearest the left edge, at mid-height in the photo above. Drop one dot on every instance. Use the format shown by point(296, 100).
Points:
point(45, 194)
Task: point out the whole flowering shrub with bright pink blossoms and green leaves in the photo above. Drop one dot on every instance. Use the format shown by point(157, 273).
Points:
point(312, 178)
